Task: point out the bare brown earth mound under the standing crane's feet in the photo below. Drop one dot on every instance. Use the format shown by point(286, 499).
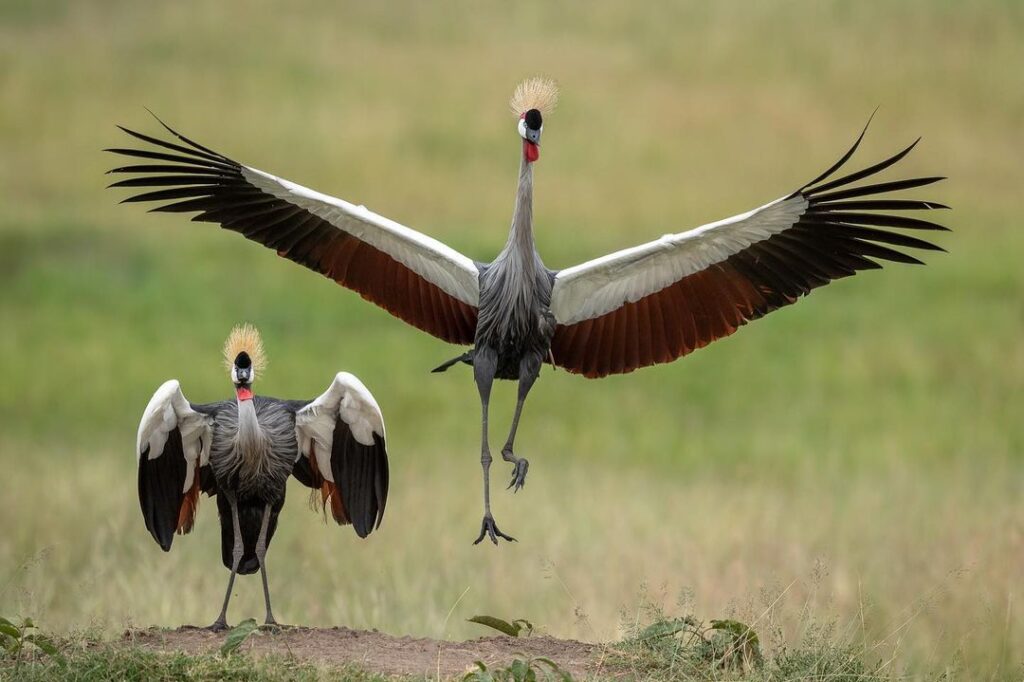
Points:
point(377, 653)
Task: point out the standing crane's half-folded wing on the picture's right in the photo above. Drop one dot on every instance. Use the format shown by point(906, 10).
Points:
point(343, 453)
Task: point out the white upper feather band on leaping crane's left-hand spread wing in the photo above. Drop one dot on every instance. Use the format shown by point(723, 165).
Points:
point(437, 263)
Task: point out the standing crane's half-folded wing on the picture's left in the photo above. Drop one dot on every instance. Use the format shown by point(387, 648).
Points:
point(173, 448)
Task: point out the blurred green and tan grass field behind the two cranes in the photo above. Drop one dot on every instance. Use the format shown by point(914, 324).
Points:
point(854, 460)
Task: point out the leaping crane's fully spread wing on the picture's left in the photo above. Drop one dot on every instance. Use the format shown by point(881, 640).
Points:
point(410, 275)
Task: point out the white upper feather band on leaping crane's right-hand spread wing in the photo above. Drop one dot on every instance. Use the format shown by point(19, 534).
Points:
point(603, 285)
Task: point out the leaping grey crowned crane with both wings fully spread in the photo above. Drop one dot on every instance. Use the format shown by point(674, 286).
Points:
point(641, 307)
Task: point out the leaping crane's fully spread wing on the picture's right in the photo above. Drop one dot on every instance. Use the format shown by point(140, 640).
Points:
point(664, 300)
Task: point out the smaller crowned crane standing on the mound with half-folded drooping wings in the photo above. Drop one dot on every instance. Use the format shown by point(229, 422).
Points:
point(243, 451)
